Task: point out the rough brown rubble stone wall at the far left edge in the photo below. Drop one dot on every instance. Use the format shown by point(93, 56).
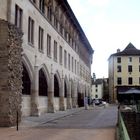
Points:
point(10, 73)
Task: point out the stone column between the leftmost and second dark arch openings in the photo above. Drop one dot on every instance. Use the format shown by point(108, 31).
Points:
point(35, 93)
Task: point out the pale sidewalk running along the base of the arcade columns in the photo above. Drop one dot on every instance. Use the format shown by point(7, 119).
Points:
point(45, 118)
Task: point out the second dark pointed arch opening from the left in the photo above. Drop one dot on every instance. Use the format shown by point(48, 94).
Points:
point(43, 86)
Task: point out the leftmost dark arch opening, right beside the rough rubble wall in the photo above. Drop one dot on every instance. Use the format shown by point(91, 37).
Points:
point(26, 82)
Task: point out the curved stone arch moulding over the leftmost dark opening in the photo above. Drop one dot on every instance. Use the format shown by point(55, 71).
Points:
point(28, 66)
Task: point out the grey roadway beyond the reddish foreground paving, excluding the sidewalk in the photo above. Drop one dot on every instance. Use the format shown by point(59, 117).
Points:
point(98, 118)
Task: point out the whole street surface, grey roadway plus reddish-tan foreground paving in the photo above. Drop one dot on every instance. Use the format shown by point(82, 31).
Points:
point(92, 124)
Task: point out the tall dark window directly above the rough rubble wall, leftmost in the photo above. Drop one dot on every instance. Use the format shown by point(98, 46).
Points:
point(18, 16)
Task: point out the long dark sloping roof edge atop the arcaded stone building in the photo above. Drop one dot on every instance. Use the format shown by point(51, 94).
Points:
point(71, 15)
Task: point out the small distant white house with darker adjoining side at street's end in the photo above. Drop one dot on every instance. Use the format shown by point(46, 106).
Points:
point(99, 88)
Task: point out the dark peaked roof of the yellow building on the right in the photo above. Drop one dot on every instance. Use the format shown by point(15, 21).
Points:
point(130, 50)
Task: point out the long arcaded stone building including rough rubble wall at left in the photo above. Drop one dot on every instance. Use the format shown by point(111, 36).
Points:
point(45, 58)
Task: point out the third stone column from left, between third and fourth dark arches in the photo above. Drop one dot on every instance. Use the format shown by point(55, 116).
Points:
point(61, 97)
